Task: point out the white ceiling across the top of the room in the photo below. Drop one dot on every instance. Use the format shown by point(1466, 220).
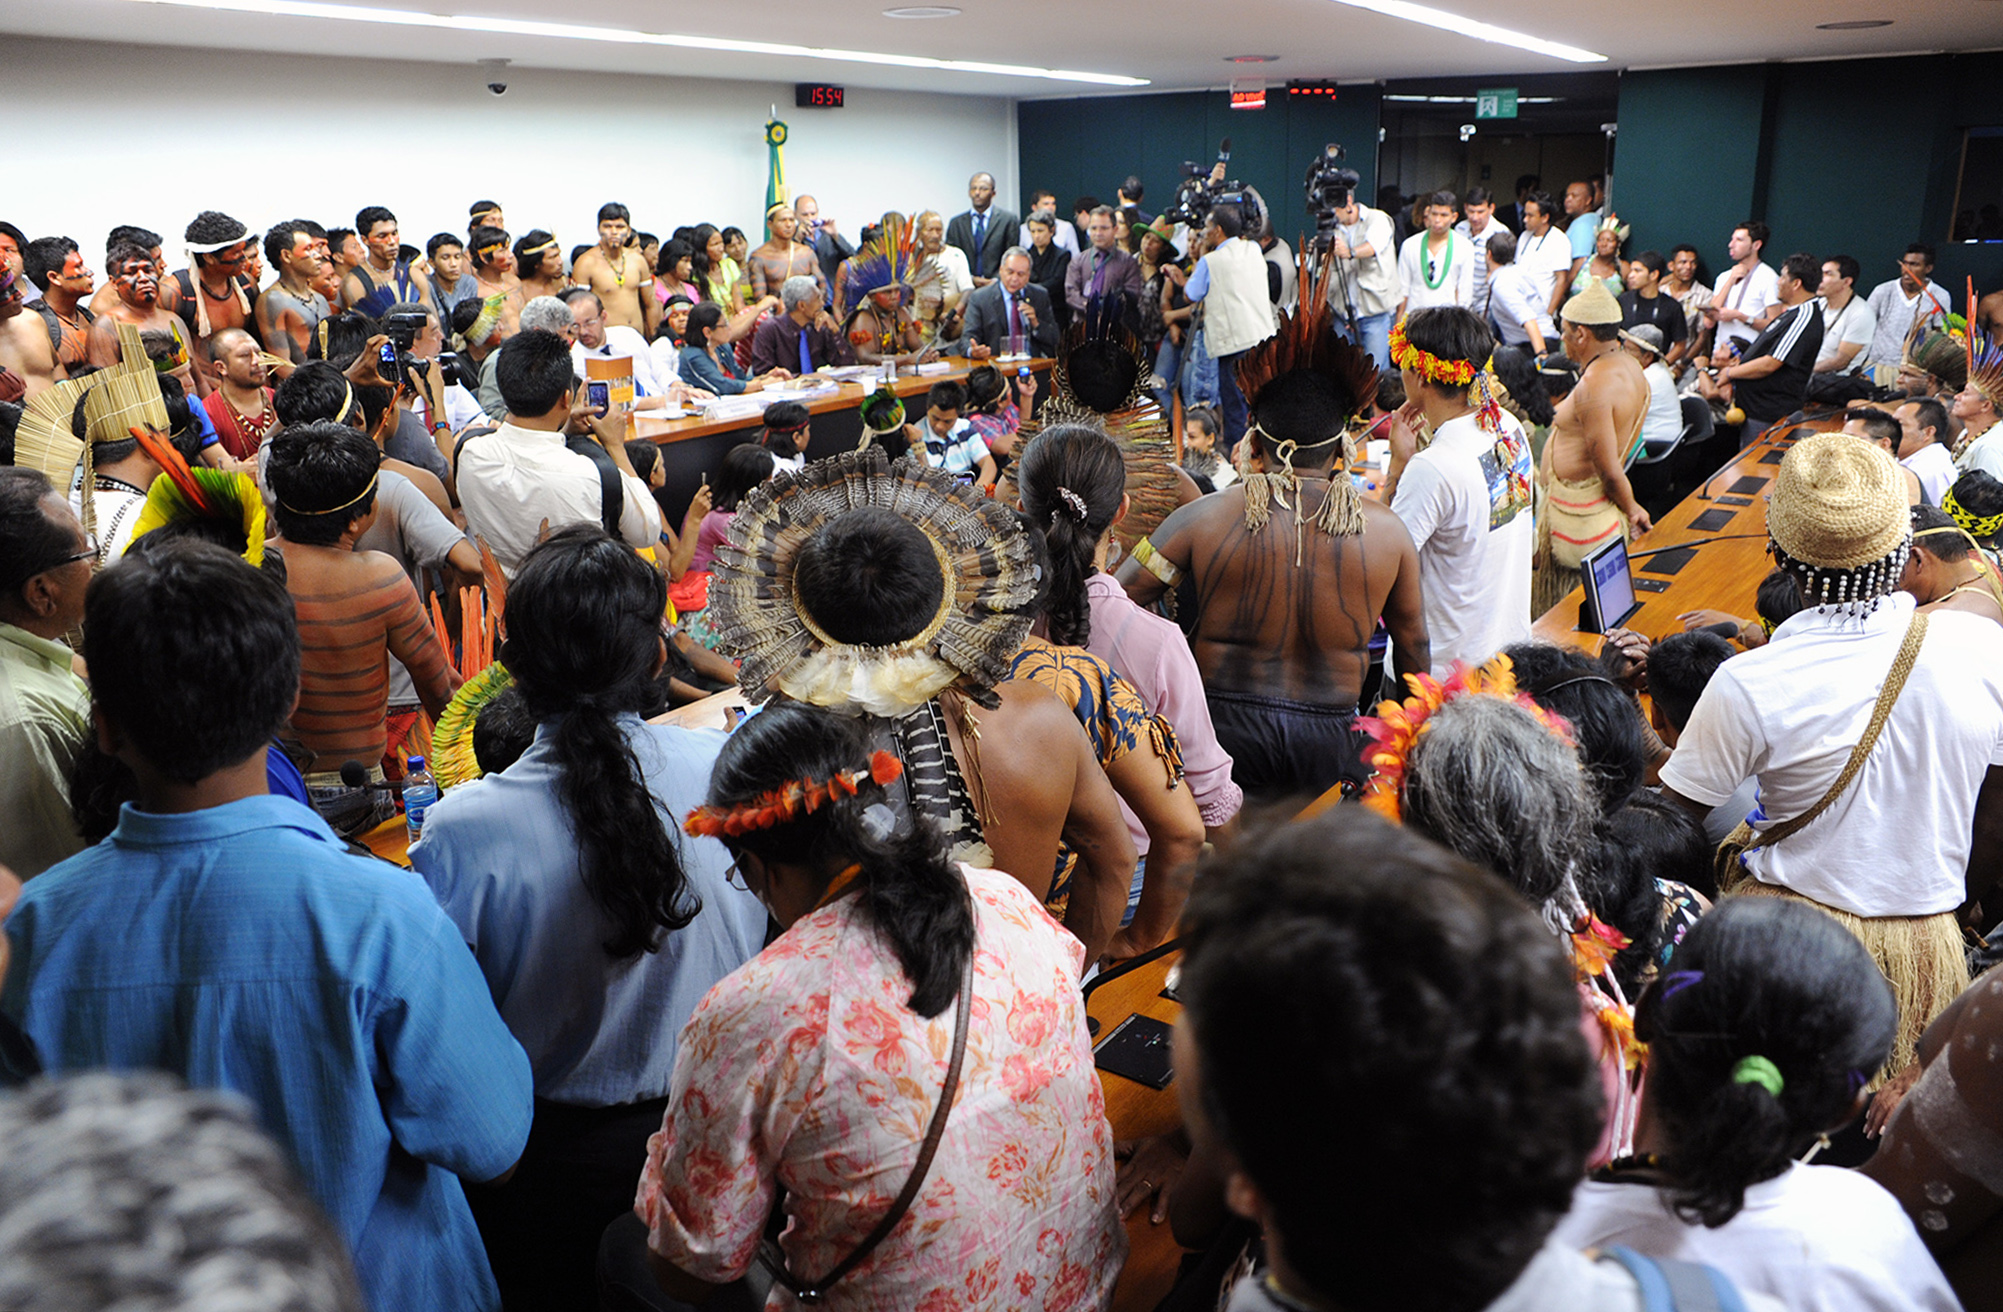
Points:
point(1171, 45)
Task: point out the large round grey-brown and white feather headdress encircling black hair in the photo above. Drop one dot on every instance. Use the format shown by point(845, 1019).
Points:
point(984, 554)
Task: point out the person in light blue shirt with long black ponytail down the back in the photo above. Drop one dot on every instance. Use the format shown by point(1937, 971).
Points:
point(598, 928)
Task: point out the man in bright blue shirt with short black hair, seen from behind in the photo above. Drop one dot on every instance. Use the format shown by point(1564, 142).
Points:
point(229, 938)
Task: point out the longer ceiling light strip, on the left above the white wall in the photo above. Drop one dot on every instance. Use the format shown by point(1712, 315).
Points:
point(628, 37)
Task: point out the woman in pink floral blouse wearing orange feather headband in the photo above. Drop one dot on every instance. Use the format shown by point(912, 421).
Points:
point(810, 1077)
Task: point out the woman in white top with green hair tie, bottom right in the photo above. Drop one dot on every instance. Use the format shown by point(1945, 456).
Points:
point(1762, 1041)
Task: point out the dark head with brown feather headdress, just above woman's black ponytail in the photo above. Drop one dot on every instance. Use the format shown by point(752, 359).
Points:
point(1101, 380)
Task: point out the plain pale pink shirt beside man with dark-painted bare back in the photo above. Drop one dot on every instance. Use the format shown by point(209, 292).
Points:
point(1155, 658)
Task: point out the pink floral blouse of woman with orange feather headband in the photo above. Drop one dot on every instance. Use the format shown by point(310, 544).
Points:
point(806, 1069)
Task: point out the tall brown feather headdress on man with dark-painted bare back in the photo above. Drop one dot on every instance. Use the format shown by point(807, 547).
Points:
point(1307, 344)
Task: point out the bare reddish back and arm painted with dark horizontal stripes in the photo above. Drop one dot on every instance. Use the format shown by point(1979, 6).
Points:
point(346, 636)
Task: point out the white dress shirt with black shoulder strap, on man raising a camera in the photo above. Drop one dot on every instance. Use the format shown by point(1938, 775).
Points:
point(514, 480)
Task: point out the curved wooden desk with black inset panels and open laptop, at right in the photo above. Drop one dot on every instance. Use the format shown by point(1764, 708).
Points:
point(1720, 576)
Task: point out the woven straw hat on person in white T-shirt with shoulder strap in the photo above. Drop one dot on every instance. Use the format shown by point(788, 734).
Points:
point(1838, 504)
